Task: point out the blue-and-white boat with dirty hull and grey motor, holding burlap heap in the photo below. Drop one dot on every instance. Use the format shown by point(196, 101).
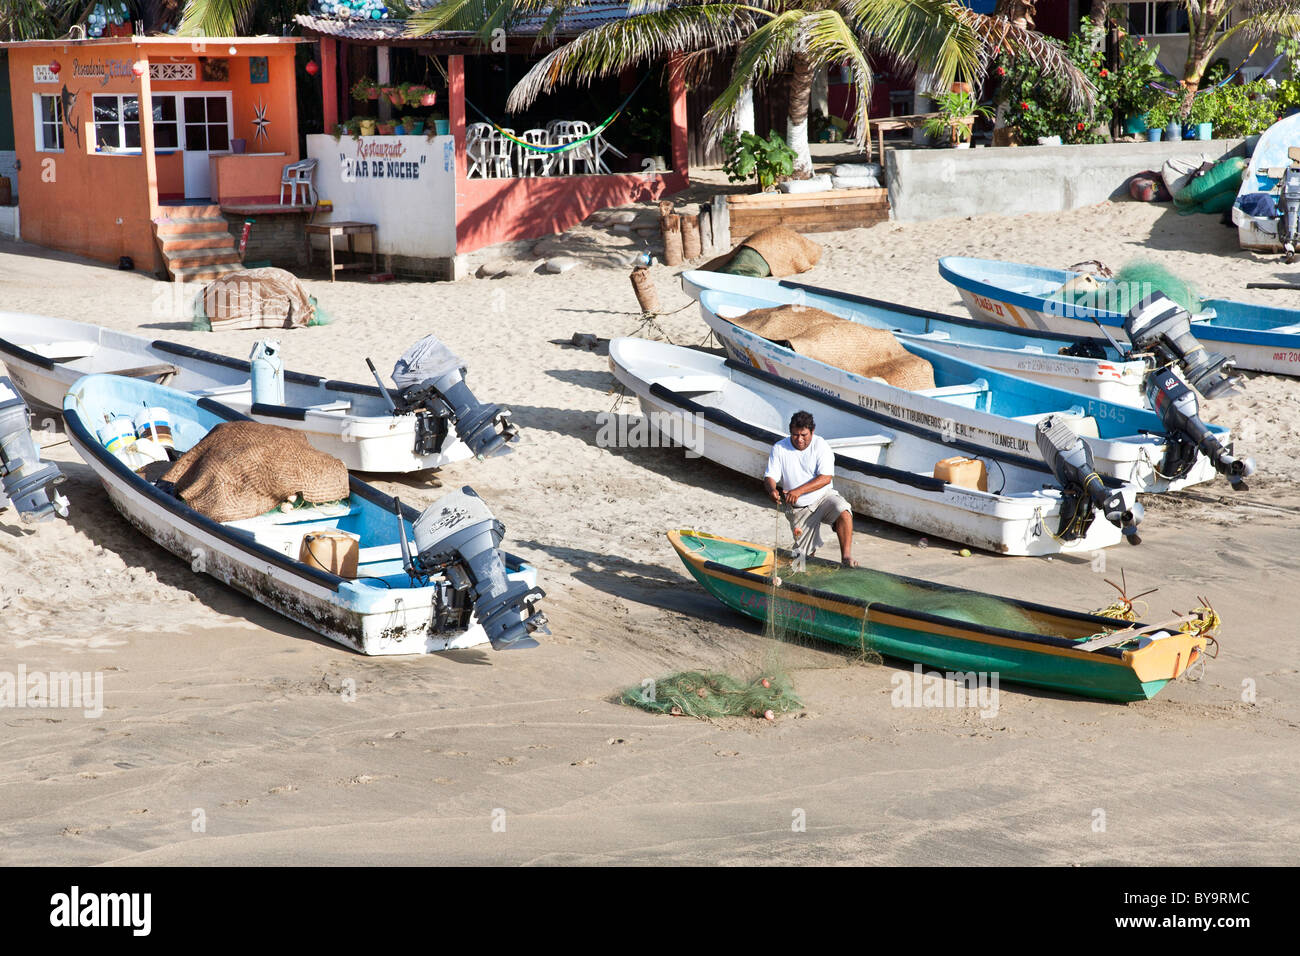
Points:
point(392, 605)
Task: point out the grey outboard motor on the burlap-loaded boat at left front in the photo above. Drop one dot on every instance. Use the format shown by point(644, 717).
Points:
point(460, 538)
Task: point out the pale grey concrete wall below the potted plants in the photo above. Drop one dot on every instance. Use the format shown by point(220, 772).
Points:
point(1011, 181)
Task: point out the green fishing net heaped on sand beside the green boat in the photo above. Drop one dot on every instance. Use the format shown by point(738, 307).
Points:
point(705, 695)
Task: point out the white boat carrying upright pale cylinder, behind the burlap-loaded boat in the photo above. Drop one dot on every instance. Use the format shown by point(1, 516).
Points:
point(349, 421)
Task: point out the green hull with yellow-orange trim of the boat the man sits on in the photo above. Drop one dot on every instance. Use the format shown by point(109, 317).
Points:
point(944, 643)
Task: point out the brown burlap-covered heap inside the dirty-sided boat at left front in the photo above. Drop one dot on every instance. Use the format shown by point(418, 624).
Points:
point(244, 469)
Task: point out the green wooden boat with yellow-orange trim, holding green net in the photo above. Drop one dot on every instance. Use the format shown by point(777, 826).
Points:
point(963, 633)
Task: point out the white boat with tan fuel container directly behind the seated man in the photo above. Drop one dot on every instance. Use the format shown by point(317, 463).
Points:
point(733, 414)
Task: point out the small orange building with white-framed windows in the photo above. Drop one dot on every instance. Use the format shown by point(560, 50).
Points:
point(96, 171)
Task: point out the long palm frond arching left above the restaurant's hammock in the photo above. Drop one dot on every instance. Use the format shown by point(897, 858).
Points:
point(610, 49)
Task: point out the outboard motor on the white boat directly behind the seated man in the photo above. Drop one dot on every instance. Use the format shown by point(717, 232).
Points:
point(1071, 461)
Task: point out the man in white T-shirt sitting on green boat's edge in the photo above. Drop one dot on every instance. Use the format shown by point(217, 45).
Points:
point(804, 465)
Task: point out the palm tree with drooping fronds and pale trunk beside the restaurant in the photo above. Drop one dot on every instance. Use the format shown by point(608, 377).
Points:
point(943, 38)
